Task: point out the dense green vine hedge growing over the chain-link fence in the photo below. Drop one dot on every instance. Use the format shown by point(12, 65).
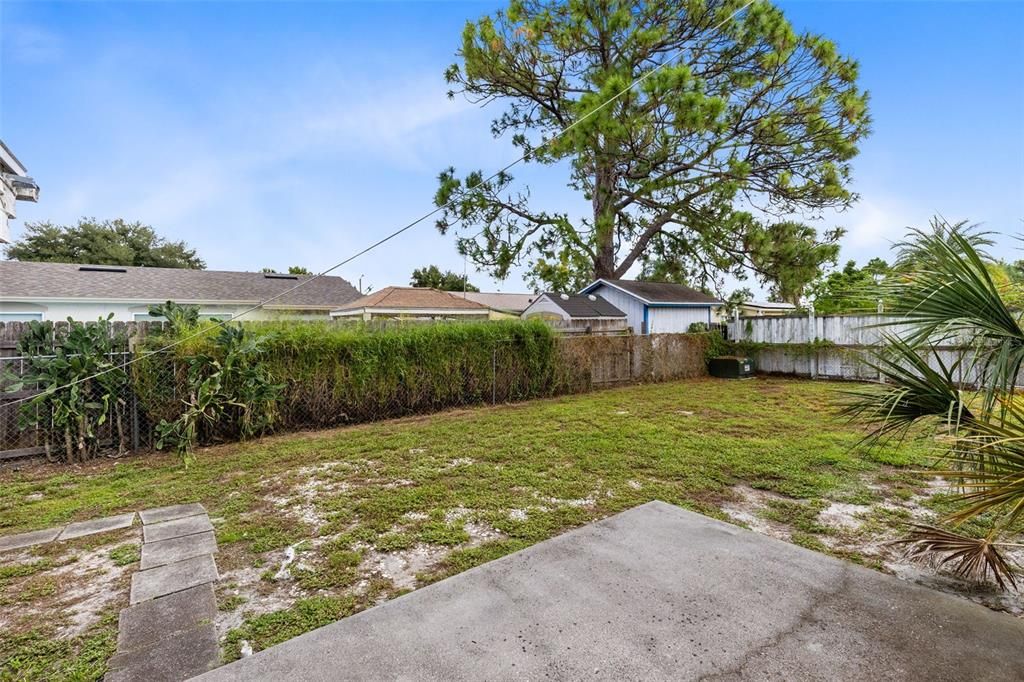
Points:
point(336, 374)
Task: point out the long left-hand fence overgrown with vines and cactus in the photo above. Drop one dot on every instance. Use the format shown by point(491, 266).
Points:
point(142, 396)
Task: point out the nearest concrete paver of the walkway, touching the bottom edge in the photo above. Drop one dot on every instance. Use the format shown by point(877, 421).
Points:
point(172, 660)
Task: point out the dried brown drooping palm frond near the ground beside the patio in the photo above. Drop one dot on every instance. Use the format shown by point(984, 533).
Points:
point(973, 559)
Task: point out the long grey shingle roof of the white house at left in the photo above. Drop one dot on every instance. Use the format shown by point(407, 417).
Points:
point(68, 282)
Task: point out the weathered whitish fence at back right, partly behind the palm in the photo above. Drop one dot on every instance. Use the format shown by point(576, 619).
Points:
point(854, 337)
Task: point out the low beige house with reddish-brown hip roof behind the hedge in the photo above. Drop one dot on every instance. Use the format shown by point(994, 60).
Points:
point(412, 304)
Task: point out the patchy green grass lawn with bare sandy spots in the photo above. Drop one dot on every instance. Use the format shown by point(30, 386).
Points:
point(376, 510)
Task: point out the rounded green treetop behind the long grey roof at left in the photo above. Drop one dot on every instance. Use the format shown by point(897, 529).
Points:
point(108, 243)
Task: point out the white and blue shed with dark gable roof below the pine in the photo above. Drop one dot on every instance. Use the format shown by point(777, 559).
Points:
point(657, 308)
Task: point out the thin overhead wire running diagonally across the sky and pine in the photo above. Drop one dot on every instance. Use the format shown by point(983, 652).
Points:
point(397, 233)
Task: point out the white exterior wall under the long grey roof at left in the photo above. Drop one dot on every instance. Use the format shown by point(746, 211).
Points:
point(126, 312)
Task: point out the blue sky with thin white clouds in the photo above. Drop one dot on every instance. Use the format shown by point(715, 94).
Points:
point(272, 135)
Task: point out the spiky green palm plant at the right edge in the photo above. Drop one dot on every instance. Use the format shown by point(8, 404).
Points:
point(946, 296)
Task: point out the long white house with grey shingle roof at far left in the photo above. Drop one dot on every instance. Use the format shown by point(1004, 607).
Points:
point(59, 291)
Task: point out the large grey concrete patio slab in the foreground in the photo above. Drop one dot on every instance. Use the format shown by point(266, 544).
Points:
point(657, 593)
